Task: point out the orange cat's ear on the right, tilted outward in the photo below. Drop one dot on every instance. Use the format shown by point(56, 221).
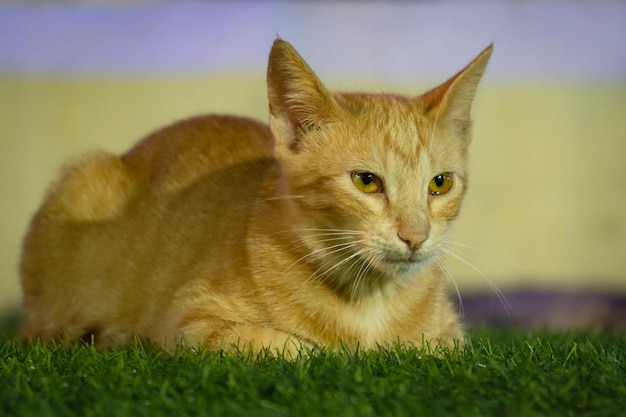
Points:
point(451, 102)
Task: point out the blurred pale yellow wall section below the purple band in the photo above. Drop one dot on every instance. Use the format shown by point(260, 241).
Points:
point(546, 207)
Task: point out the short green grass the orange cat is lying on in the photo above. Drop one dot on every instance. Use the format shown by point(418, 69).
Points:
point(498, 373)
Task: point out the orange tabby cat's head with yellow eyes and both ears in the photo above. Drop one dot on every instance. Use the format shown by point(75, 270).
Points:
point(378, 177)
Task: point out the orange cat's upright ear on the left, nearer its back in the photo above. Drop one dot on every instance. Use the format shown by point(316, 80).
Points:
point(298, 101)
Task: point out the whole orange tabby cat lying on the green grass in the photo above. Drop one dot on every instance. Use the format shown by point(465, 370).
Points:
point(325, 228)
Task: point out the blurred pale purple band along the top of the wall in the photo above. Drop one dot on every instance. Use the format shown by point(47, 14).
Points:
point(545, 40)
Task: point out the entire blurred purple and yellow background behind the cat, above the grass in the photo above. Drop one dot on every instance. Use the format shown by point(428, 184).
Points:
point(545, 217)
